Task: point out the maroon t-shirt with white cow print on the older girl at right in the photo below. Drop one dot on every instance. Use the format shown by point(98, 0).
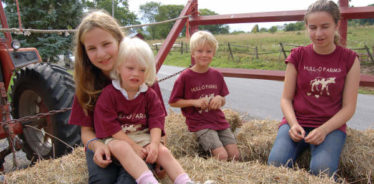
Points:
point(320, 84)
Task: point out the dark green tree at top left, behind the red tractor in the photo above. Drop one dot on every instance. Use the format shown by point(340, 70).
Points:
point(45, 14)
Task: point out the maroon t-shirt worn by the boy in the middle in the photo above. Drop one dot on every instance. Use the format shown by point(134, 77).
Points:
point(193, 85)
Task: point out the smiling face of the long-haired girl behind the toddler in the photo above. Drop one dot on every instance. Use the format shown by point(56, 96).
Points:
point(101, 48)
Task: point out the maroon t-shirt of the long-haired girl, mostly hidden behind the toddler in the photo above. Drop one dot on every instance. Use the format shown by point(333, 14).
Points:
point(78, 117)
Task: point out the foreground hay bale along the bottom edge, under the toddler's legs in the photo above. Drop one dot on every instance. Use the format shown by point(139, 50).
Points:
point(72, 169)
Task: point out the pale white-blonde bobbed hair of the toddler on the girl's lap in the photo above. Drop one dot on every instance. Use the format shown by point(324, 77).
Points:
point(141, 52)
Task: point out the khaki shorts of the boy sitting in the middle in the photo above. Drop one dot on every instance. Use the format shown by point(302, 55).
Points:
point(212, 139)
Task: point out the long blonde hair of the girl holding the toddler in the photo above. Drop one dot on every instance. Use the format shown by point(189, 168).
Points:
point(89, 80)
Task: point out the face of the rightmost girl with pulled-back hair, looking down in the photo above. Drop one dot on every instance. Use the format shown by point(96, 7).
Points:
point(321, 28)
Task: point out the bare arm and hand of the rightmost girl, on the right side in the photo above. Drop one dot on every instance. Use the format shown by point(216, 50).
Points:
point(350, 93)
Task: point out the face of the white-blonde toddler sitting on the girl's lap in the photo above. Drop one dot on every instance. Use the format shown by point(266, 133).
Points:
point(132, 74)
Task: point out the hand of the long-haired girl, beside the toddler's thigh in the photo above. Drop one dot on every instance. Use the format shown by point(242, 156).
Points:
point(102, 155)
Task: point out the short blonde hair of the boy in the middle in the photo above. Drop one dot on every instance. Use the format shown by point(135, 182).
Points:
point(202, 38)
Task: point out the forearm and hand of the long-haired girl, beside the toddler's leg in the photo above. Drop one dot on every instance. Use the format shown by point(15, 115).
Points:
point(101, 151)
